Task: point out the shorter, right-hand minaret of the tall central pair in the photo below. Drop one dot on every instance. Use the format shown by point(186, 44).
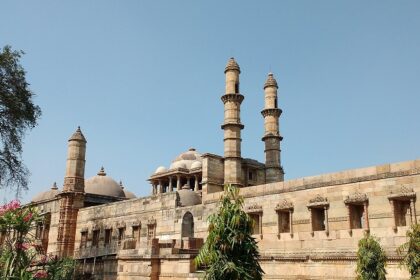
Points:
point(271, 113)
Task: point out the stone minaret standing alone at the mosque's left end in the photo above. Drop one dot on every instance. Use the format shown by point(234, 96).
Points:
point(72, 197)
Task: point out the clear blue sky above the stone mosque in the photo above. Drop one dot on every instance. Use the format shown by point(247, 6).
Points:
point(144, 78)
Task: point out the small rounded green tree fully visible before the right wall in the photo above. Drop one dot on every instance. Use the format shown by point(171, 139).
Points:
point(371, 259)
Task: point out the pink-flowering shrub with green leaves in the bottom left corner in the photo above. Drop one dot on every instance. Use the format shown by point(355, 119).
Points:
point(20, 257)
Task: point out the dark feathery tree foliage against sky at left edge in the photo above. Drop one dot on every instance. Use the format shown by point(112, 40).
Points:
point(17, 115)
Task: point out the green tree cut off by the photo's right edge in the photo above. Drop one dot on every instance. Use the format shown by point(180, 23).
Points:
point(411, 252)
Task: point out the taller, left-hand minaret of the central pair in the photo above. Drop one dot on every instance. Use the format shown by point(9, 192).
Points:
point(232, 126)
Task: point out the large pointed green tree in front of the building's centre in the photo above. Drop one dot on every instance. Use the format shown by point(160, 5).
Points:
point(230, 252)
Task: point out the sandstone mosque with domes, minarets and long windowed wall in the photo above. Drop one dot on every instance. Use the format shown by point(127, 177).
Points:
point(306, 228)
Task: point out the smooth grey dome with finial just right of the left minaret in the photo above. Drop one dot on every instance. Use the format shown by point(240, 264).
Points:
point(103, 185)
